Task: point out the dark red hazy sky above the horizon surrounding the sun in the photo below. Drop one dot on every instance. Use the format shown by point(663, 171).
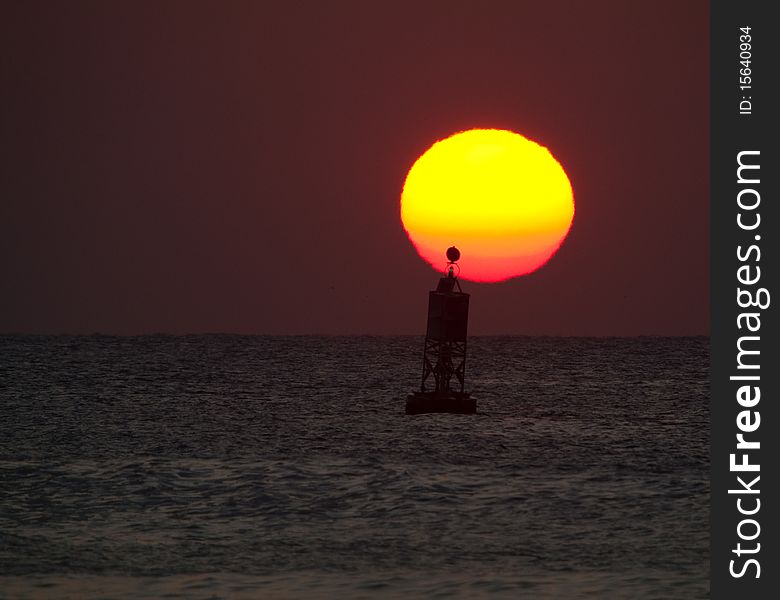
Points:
point(236, 167)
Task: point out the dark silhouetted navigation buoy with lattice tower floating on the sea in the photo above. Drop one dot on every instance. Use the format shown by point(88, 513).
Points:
point(444, 355)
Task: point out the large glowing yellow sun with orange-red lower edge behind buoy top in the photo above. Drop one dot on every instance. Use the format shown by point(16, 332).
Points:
point(501, 198)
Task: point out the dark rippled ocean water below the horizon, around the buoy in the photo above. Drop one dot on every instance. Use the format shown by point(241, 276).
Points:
point(284, 467)
